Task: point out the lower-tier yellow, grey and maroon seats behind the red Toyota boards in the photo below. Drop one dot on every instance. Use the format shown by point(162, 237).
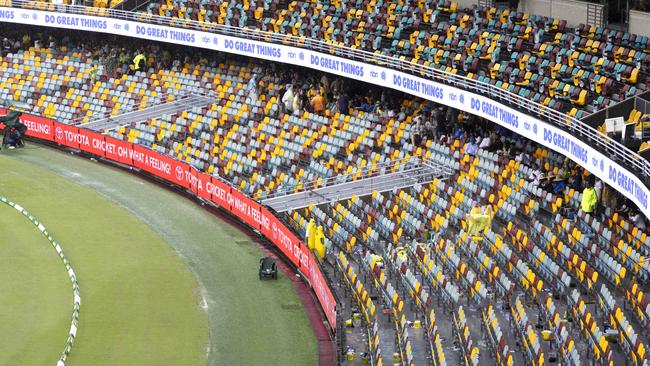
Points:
point(253, 144)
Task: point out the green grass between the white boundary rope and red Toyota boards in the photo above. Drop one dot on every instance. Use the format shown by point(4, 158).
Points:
point(162, 281)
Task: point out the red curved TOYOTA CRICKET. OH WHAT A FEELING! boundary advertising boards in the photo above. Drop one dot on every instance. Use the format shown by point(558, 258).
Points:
point(202, 185)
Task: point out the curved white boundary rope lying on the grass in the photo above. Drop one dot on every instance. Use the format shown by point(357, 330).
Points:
point(73, 278)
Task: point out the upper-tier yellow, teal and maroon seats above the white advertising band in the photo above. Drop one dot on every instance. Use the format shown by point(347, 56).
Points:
point(572, 70)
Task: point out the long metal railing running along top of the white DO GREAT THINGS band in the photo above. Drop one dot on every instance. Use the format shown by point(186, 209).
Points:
point(624, 156)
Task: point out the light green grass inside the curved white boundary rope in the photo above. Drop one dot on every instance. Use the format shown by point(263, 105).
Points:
point(35, 294)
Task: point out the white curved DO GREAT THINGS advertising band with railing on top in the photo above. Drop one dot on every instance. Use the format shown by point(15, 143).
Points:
point(584, 145)
